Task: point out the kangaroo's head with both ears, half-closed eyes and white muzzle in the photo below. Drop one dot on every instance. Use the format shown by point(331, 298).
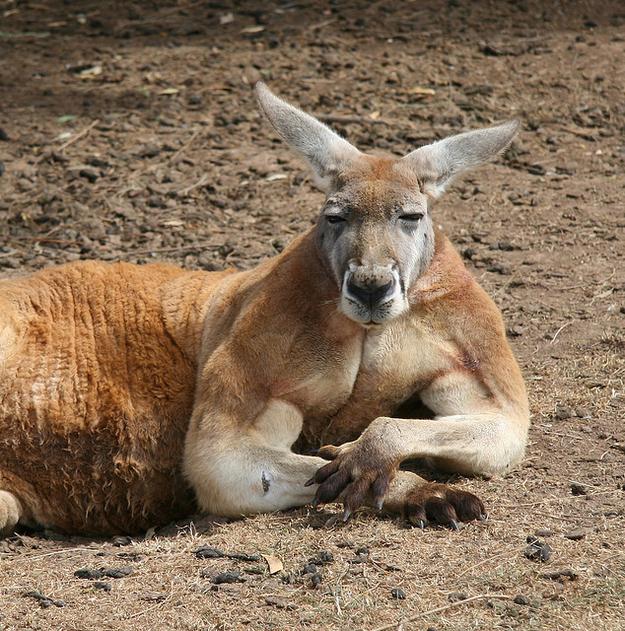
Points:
point(375, 231)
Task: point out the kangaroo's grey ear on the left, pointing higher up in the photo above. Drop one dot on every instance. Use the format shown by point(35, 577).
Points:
point(325, 151)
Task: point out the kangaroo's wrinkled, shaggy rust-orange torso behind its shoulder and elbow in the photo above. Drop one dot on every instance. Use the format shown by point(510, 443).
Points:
point(95, 398)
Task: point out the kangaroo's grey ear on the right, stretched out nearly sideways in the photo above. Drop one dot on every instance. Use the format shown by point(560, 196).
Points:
point(437, 164)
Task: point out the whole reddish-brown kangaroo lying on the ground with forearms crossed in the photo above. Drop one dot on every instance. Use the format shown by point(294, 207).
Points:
point(132, 395)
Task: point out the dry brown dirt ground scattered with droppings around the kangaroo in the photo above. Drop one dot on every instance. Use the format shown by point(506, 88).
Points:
point(129, 132)
